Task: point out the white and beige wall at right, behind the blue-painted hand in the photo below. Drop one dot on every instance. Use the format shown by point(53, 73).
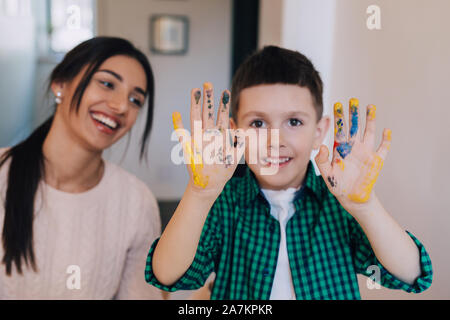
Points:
point(404, 69)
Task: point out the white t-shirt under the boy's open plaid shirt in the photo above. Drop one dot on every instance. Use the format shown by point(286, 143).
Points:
point(282, 209)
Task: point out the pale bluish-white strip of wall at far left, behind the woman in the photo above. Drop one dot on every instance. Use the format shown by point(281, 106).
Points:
point(17, 67)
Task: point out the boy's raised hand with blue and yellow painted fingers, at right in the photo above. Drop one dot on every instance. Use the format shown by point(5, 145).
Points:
point(354, 169)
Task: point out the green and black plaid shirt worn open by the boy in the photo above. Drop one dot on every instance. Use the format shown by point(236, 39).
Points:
point(327, 248)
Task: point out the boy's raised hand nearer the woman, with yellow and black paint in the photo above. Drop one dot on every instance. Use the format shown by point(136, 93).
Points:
point(211, 153)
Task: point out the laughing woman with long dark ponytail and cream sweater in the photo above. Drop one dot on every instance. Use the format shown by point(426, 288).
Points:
point(74, 225)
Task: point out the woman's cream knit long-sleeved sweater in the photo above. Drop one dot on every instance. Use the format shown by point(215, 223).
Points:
point(90, 245)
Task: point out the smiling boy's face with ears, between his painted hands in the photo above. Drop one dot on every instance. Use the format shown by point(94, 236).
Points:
point(290, 109)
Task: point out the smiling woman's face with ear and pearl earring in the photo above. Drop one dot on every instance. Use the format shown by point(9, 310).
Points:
point(109, 106)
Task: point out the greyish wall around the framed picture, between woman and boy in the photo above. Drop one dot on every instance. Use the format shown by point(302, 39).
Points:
point(208, 59)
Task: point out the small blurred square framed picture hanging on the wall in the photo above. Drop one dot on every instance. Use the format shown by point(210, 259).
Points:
point(169, 34)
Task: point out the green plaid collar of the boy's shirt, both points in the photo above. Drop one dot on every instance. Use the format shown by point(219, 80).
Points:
point(311, 185)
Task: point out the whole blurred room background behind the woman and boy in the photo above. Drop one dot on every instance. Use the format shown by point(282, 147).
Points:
point(394, 54)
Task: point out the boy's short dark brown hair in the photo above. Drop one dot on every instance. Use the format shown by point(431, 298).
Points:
point(272, 65)
